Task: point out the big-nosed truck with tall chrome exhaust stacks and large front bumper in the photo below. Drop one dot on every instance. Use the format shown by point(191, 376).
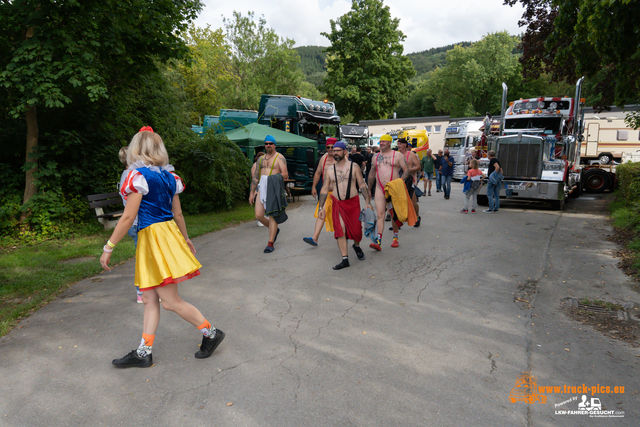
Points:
point(539, 148)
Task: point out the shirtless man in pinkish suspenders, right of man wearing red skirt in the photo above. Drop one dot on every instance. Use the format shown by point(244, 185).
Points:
point(385, 167)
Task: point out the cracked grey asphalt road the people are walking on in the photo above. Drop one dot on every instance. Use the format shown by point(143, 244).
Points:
point(433, 333)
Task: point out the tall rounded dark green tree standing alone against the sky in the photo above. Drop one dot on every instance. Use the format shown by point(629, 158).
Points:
point(367, 74)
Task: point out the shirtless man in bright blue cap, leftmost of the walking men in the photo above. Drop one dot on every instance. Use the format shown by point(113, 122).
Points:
point(269, 164)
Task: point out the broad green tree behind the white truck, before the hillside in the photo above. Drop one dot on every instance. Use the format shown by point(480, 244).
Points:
point(470, 83)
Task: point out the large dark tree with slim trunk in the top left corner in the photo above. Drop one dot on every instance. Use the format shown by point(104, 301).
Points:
point(51, 51)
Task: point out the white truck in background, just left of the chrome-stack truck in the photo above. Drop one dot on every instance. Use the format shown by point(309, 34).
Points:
point(459, 138)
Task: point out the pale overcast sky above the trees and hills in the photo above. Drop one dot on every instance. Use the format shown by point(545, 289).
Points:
point(426, 24)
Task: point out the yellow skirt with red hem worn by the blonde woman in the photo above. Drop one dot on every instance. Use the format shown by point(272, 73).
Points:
point(163, 257)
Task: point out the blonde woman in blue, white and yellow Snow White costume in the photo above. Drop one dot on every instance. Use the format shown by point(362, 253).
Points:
point(164, 254)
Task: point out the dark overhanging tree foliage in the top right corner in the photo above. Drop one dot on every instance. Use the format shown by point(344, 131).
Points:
point(596, 38)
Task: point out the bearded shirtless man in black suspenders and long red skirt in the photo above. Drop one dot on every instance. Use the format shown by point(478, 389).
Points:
point(342, 176)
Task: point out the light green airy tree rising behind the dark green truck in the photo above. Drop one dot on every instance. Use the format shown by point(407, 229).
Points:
point(261, 61)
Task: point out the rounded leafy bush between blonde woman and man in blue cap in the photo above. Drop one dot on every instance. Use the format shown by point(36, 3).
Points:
point(215, 171)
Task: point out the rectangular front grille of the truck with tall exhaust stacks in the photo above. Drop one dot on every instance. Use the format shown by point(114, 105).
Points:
point(521, 156)
